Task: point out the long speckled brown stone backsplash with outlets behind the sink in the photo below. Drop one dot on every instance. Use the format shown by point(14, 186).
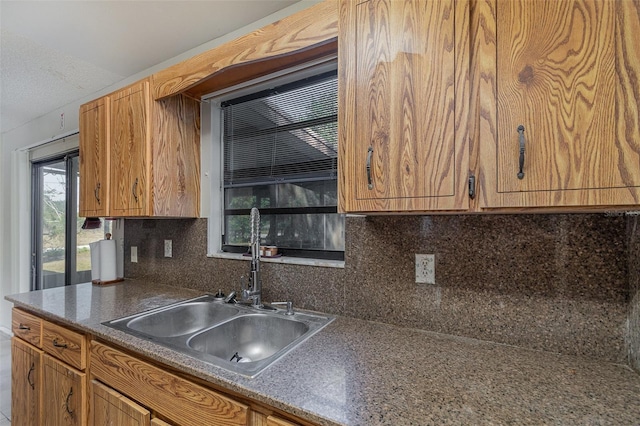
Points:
point(557, 283)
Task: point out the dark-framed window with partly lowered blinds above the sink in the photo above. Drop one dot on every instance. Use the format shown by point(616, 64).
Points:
point(280, 155)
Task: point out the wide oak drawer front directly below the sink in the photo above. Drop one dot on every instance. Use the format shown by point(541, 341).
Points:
point(172, 396)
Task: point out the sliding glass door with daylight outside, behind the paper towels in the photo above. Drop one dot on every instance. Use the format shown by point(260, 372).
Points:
point(60, 246)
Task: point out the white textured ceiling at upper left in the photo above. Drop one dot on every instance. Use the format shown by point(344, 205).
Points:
point(56, 52)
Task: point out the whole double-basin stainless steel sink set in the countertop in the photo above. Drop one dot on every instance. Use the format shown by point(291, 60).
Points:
point(235, 337)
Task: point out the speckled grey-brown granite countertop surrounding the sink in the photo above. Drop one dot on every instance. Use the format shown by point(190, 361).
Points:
point(356, 372)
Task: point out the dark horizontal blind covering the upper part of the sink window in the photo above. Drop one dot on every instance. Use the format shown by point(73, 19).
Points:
point(282, 135)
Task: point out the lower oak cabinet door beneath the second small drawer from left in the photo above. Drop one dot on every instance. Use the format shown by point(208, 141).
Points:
point(64, 390)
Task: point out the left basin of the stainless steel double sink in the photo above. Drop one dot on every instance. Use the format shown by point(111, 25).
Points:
point(182, 319)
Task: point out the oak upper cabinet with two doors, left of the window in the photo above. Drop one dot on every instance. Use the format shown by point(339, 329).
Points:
point(152, 154)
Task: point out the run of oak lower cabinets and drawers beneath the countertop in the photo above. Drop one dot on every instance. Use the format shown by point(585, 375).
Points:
point(111, 387)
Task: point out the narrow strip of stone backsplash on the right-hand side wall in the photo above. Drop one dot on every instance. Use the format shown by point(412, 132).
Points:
point(634, 291)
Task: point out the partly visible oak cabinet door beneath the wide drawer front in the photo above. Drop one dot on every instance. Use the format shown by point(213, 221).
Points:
point(109, 408)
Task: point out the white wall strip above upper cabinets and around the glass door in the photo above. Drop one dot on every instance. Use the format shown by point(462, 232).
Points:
point(14, 168)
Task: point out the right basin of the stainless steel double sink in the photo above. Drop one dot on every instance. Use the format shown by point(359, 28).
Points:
point(248, 338)
